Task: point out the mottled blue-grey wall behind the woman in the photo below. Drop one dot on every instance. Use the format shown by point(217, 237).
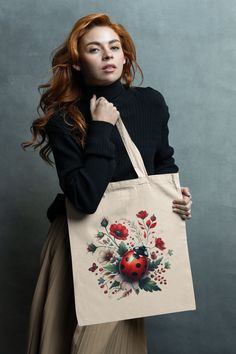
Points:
point(187, 50)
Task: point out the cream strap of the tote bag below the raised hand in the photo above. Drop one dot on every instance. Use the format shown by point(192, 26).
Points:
point(132, 150)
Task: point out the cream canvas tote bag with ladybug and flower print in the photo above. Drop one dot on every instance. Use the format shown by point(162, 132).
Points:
point(130, 258)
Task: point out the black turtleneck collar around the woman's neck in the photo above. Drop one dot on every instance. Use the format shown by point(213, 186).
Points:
point(110, 91)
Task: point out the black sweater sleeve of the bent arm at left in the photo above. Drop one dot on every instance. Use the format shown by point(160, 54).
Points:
point(83, 174)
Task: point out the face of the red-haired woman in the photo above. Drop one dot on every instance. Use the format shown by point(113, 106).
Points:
point(100, 46)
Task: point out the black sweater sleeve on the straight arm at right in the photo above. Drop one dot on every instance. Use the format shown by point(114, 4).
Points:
point(164, 157)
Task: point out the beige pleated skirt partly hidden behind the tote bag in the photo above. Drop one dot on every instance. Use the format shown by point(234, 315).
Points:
point(53, 327)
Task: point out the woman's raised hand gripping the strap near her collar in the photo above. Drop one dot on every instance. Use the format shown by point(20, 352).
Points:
point(103, 110)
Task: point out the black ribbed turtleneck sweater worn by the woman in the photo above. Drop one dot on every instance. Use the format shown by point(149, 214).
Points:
point(84, 174)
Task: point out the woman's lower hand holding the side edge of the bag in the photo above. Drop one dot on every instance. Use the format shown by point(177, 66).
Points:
point(183, 206)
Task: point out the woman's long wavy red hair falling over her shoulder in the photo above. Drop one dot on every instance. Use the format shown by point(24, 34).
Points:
point(64, 88)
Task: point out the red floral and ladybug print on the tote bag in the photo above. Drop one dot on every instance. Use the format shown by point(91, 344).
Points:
point(130, 256)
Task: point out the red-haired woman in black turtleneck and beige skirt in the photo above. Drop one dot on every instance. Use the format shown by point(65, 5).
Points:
point(81, 105)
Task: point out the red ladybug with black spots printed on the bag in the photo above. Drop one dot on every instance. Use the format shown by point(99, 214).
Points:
point(134, 263)
